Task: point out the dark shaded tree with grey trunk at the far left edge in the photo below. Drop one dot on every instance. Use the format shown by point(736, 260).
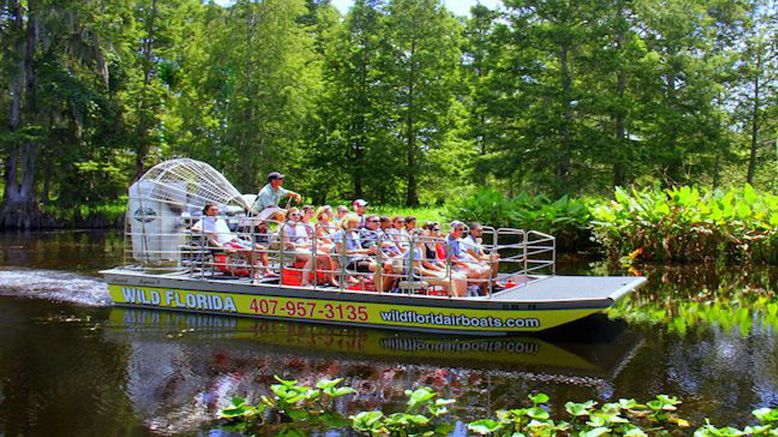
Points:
point(57, 72)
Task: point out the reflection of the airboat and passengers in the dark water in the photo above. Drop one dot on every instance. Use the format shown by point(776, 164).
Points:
point(183, 367)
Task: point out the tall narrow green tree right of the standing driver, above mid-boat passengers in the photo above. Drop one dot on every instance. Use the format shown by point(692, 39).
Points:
point(354, 110)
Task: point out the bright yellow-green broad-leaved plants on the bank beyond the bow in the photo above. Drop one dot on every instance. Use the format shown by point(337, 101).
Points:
point(688, 224)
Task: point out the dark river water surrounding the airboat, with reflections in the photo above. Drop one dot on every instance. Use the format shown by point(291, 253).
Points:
point(70, 364)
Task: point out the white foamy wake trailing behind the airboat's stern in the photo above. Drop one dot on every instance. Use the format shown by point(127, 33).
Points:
point(54, 285)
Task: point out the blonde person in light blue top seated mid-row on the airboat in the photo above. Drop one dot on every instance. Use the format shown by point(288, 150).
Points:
point(357, 256)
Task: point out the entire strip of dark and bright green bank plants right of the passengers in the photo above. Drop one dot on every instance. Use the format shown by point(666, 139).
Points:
point(680, 224)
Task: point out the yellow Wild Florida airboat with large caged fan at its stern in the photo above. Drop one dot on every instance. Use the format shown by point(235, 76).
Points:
point(169, 264)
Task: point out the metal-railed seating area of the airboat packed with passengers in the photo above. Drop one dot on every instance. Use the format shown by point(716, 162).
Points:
point(279, 255)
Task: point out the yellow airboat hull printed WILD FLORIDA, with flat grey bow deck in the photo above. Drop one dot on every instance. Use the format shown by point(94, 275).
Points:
point(543, 303)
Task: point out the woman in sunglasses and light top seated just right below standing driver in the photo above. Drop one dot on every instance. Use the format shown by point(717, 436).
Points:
point(295, 239)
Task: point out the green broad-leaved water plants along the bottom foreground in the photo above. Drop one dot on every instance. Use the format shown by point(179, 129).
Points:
point(298, 409)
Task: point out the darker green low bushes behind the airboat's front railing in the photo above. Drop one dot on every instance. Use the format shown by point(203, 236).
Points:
point(566, 218)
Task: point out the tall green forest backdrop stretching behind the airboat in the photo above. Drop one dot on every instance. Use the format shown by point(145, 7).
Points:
point(398, 101)
